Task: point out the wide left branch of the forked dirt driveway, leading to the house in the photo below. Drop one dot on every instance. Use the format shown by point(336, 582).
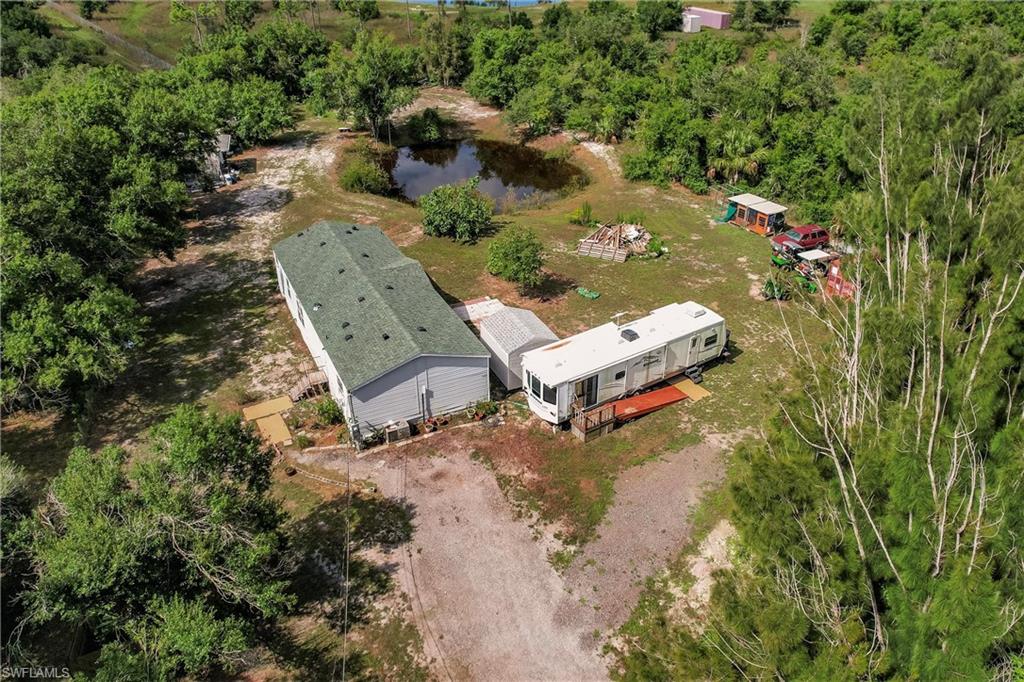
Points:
point(488, 604)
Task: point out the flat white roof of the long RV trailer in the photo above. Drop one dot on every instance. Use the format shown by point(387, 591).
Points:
point(604, 347)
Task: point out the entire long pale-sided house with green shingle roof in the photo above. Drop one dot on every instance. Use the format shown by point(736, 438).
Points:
point(392, 349)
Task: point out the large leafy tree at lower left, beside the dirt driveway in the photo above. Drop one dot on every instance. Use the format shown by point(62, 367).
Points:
point(168, 563)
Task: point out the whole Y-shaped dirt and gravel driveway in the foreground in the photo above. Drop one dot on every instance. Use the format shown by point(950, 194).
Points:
point(484, 595)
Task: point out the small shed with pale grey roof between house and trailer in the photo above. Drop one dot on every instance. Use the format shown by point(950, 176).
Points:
point(508, 334)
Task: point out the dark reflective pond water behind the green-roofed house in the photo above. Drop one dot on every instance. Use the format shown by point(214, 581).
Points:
point(502, 168)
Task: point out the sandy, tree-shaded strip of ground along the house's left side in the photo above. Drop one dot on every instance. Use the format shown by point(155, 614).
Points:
point(219, 333)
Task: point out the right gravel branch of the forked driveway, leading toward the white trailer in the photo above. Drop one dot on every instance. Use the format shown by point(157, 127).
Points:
point(648, 525)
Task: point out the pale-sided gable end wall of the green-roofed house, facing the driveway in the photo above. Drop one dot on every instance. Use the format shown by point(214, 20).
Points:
point(447, 383)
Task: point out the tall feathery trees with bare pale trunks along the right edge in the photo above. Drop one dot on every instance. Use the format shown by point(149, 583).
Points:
point(879, 521)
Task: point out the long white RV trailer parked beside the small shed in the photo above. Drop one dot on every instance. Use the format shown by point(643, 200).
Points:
point(612, 361)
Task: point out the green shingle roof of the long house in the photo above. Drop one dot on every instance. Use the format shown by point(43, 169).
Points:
point(373, 309)
